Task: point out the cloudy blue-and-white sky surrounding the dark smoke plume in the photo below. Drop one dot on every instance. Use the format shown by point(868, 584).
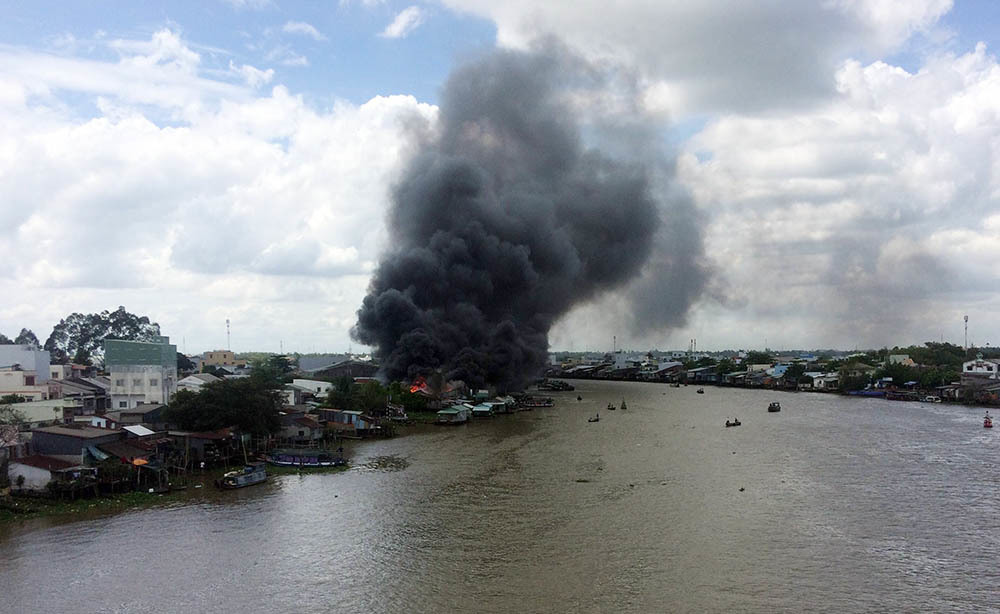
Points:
point(233, 159)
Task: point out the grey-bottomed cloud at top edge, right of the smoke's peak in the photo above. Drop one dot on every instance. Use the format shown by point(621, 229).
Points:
point(717, 55)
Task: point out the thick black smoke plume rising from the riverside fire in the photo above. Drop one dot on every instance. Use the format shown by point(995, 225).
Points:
point(503, 221)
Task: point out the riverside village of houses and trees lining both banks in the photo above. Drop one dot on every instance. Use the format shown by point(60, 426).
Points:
point(135, 419)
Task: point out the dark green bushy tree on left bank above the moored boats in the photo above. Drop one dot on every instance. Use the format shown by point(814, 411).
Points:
point(249, 404)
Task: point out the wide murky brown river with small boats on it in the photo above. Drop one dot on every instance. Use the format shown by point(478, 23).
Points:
point(847, 505)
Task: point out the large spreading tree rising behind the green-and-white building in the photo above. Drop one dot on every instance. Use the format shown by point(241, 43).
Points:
point(80, 337)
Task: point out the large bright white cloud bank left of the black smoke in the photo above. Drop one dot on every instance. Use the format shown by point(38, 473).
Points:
point(242, 199)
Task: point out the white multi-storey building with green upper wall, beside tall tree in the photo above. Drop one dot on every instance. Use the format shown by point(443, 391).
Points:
point(141, 372)
